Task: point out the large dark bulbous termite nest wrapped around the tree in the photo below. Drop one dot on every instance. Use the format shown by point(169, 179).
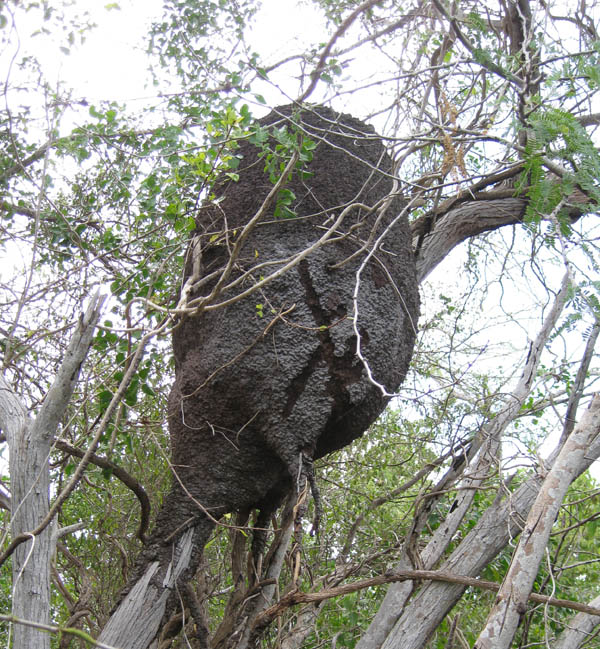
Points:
point(272, 381)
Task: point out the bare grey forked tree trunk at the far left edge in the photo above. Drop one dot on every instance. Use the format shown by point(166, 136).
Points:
point(30, 443)
